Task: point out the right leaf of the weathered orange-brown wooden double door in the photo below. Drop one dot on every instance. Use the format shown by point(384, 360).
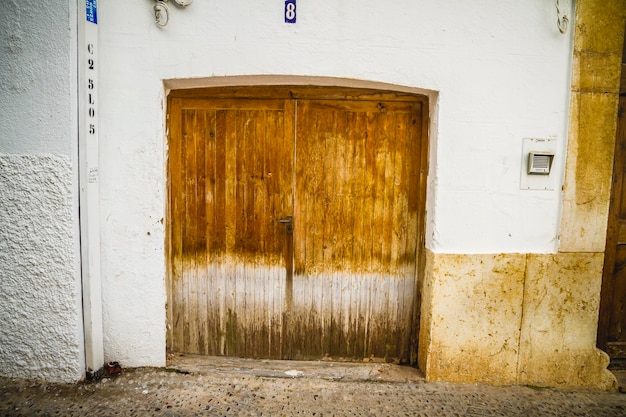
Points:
point(356, 228)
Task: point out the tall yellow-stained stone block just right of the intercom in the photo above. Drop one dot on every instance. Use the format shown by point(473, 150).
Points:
point(588, 172)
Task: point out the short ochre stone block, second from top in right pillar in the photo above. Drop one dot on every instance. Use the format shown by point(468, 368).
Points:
point(595, 72)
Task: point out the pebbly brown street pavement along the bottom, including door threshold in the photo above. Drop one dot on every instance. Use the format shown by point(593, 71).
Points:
point(268, 388)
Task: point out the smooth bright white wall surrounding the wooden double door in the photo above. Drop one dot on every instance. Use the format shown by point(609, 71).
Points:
point(497, 72)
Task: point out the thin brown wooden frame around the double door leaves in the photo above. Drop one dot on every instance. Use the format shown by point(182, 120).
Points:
point(317, 93)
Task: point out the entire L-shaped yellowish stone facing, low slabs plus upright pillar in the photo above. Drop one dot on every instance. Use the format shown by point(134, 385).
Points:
point(532, 318)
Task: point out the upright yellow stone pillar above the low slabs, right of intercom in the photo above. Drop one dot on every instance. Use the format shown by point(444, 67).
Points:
point(596, 66)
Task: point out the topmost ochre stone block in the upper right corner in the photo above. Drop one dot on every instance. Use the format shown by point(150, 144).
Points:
point(599, 26)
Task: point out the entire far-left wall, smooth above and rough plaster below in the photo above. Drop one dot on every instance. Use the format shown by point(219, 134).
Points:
point(40, 303)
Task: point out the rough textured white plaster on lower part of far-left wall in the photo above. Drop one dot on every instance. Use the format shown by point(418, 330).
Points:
point(41, 331)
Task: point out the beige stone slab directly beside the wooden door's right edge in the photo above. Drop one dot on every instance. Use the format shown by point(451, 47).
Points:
point(474, 314)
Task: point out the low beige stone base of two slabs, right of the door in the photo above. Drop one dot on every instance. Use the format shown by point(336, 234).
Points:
point(513, 319)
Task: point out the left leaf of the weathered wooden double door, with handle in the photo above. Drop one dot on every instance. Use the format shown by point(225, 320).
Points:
point(231, 169)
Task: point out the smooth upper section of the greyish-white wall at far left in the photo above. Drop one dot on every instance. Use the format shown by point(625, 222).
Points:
point(36, 77)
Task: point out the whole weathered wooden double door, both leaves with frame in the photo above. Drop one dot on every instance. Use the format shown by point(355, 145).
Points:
point(295, 222)
